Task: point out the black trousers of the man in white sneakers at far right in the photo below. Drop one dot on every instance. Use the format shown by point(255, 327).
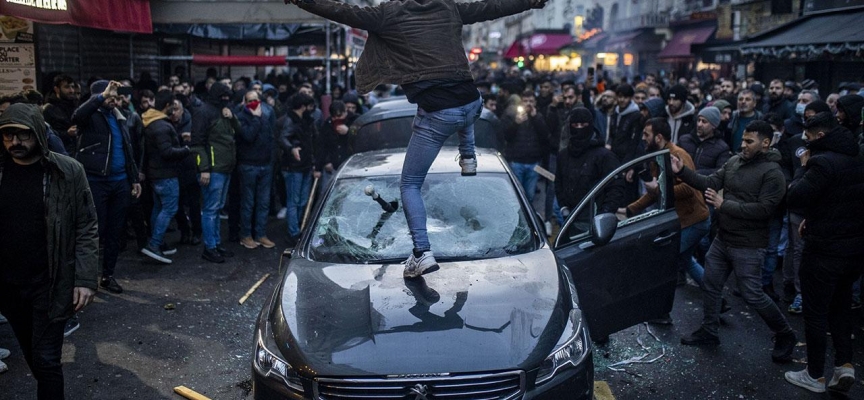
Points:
point(826, 291)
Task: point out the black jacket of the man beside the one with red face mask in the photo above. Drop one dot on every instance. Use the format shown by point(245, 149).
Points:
point(298, 132)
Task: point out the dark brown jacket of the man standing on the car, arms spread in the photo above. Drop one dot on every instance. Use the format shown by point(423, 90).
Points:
point(410, 40)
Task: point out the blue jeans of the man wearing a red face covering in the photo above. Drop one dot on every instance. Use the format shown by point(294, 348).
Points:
point(255, 182)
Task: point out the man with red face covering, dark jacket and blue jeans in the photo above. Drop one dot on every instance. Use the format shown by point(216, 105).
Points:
point(254, 158)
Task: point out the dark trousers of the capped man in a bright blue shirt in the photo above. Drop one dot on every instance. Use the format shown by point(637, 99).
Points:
point(111, 199)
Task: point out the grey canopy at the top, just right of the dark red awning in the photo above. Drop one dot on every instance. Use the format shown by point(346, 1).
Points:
point(229, 12)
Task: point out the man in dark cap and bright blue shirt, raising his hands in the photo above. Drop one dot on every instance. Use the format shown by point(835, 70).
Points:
point(105, 151)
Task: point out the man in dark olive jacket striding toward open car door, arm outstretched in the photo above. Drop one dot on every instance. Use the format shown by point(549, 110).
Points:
point(753, 186)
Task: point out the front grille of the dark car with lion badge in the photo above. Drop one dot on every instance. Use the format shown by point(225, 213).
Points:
point(499, 386)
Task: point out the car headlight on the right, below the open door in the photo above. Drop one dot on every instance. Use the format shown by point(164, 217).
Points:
point(570, 351)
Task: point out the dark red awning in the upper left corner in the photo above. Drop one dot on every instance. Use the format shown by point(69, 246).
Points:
point(112, 15)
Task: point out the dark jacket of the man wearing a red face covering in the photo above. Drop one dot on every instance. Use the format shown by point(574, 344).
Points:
point(255, 141)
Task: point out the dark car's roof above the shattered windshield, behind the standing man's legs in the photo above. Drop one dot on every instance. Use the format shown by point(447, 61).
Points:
point(390, 161)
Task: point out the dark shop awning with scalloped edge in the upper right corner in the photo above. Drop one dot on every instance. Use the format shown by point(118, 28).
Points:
point(811, 35)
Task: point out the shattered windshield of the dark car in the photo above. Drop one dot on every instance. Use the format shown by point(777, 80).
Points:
point(467, 218)
